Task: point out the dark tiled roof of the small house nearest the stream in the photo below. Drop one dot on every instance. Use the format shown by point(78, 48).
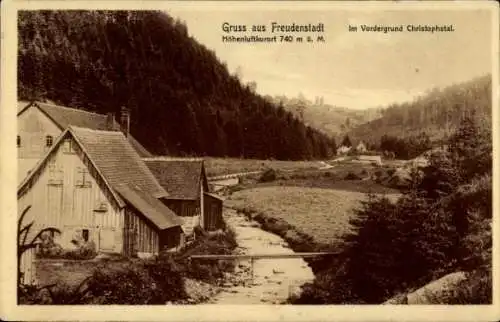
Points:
point(179, 177)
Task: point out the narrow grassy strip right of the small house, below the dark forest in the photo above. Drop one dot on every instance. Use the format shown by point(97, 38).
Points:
point(222, 166)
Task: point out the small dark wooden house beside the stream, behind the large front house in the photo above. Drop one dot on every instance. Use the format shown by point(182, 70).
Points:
point(185, 181)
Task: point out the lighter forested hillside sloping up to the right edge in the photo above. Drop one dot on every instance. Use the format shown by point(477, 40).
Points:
point(437, 113)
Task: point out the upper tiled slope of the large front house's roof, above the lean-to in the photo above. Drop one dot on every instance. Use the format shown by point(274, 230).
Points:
point(117, 161)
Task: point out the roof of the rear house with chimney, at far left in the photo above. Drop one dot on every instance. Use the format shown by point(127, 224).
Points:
point(64, 117)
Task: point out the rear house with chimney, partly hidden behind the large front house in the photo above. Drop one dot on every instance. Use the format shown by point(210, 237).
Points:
point(40, 124)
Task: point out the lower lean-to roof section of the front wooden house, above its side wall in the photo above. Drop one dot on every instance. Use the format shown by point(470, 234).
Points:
point(152, 208)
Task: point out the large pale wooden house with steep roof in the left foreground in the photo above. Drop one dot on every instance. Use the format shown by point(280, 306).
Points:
point(93, 186)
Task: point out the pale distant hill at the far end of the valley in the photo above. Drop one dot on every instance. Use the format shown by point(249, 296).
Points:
point(332, 120)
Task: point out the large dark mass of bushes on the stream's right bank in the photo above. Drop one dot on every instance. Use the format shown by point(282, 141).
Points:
point(403, 245)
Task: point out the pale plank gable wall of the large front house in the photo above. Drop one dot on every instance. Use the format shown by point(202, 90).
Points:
point(59, 199)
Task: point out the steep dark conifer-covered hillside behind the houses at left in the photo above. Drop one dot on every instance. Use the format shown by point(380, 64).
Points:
point(183, 100)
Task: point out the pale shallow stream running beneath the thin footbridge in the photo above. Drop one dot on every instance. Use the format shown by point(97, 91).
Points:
point(274, 280)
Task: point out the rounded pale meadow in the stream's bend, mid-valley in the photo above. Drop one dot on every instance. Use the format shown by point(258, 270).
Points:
point(321, 213)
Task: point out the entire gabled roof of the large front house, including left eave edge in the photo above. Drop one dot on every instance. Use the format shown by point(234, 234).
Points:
point(121, 169)
